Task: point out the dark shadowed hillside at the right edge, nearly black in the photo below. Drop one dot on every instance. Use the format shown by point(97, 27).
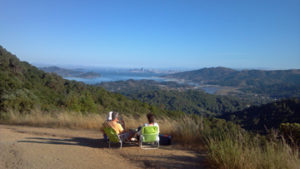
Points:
point(271, 115)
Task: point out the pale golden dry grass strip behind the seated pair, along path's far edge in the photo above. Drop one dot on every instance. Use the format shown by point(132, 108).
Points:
point(76, 120)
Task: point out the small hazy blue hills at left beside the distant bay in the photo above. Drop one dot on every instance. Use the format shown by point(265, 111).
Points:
point(70, 73)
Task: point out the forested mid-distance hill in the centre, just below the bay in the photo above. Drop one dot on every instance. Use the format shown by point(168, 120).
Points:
point(174, 96)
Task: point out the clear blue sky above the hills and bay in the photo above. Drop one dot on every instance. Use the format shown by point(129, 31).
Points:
point(154, 33)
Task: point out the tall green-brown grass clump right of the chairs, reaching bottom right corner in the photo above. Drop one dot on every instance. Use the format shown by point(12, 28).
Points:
point(230, 147)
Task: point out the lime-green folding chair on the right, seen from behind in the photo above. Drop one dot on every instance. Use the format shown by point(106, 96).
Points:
point(149, 135)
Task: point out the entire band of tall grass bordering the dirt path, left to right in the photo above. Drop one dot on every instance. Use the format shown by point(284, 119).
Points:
point(228, 146)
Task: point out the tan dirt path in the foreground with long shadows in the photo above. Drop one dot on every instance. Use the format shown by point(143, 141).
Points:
point(47, 148)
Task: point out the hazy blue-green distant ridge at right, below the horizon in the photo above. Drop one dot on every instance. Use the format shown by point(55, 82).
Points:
point(275, 83)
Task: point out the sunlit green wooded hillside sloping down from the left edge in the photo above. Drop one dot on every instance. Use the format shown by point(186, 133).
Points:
point(24, 87)
